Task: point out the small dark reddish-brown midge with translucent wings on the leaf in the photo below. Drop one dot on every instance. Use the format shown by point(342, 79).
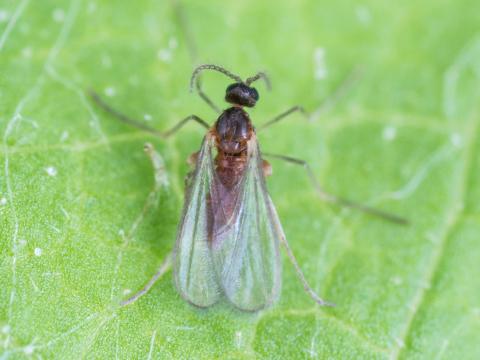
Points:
point(229, 236)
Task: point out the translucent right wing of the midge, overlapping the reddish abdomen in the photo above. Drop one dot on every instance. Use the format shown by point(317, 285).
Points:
point(245, 237)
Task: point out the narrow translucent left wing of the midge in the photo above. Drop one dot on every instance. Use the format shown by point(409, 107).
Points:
point(194, 272)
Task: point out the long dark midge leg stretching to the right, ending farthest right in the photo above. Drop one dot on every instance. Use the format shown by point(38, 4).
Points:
point(339, 200)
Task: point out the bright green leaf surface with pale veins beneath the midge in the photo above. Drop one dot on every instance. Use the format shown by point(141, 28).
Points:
point(79, 230)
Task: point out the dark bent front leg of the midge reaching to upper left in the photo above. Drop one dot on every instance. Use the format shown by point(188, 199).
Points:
point(135, 123)
